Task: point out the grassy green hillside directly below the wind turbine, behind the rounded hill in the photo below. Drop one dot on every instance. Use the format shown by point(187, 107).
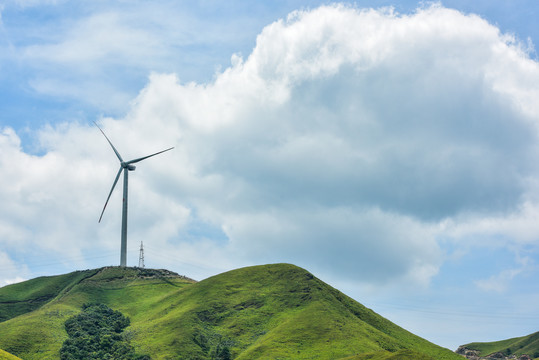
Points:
point(39, 334)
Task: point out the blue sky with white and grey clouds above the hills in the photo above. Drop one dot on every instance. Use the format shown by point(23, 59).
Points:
point(388, 147)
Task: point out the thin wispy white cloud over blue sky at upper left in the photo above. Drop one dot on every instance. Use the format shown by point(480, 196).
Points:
point(99, 54)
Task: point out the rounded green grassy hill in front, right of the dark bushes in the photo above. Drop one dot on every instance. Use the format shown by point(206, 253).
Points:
point(274, 311)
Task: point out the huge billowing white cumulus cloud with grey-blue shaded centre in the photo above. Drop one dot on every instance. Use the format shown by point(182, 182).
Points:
point(349, 141)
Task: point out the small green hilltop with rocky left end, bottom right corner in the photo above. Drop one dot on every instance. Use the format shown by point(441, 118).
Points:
point(504, 349)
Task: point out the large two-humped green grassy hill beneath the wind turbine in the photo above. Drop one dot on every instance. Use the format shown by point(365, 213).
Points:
point(264, 312)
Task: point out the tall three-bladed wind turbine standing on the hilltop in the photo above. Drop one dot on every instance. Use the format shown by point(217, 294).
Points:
point(125, 166)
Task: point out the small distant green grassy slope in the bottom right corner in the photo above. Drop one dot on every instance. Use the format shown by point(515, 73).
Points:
point(528, 345)
